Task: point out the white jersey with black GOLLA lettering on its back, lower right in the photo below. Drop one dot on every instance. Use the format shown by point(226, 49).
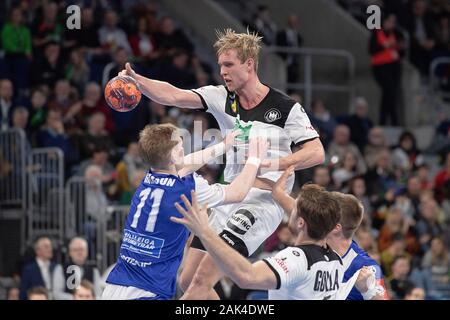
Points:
point(306, 272)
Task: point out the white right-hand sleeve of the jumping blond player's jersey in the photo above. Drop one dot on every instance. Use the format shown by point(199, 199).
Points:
point(298, 125)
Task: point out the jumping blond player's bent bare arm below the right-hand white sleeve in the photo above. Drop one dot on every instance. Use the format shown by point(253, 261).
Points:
point(311, 154)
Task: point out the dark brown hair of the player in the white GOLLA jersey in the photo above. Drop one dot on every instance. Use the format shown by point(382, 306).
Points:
point(319, 210)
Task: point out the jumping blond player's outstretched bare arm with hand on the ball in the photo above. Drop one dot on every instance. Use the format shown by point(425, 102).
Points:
point(163, 92)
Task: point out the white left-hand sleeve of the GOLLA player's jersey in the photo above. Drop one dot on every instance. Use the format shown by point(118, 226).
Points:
point(289, 266)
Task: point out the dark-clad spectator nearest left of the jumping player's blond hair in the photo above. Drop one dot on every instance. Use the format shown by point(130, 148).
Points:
point(169, 38)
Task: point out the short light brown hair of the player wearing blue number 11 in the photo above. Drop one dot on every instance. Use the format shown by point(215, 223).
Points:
point(155, 144)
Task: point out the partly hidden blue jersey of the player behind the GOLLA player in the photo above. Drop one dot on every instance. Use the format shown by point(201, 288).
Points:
point(354, 259)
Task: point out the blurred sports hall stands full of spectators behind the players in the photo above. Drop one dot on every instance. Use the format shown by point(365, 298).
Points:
point(69, 163)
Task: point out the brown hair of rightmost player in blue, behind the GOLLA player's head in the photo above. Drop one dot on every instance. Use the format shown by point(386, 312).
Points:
point(352, 212)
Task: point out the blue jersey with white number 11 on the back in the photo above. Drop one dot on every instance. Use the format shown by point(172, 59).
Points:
point(152, 246)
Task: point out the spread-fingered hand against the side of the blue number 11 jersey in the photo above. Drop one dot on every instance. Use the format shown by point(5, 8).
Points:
point(195, 217)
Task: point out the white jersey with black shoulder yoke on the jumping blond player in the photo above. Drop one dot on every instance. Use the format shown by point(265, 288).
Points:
point(277, 117)
